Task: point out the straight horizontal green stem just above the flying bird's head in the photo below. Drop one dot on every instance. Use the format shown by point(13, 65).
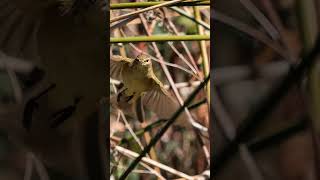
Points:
point(159, 38)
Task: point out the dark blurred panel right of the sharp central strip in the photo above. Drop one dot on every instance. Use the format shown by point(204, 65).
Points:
point(257, 44)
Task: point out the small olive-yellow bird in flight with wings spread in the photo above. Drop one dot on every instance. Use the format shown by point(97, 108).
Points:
point(140, 81)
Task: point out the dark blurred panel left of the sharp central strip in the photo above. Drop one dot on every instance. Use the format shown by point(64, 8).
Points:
point(46, 43)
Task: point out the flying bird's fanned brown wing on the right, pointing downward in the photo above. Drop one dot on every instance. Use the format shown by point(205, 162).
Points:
point(160, 101)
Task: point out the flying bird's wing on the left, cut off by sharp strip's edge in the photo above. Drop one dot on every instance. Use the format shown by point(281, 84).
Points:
point(116, 65)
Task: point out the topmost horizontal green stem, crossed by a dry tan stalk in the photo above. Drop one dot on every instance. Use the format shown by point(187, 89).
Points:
point(148, 4)
